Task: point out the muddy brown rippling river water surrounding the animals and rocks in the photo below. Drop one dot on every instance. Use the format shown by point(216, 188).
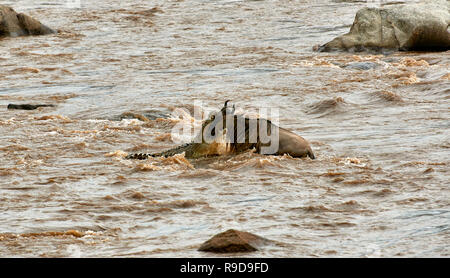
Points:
point(379, 125)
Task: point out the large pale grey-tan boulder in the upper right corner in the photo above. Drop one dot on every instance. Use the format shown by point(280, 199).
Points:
point(420, 26)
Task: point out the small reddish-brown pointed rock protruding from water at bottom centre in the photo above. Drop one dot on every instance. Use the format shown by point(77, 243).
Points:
point(232, 241)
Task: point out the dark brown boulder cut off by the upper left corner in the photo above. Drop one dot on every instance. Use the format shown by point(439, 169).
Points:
point(18, 24)
